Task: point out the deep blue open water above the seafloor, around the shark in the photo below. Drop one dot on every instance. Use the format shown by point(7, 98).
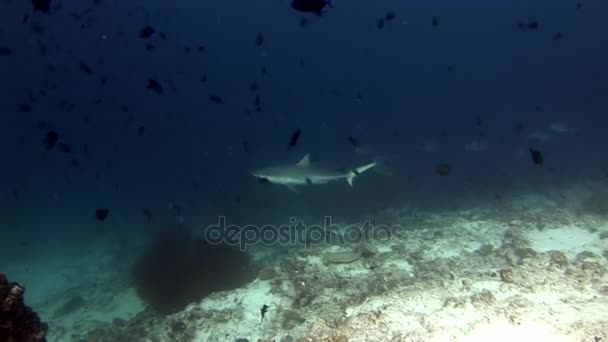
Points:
point(475, 76)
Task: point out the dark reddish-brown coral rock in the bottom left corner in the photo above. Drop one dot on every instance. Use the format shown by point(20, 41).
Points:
point(18, 323)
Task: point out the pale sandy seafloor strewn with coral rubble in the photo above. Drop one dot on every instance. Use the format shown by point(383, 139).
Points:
point(527, 268)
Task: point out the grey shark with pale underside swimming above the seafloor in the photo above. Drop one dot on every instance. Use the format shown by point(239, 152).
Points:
point(305, 173)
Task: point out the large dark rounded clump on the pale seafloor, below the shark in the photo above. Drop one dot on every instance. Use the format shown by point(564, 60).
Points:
point(179, 267)
